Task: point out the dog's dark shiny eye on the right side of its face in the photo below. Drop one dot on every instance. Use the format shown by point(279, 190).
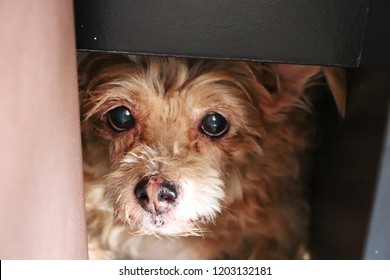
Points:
point(214, 125)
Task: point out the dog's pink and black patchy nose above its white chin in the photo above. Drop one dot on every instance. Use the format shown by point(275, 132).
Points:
point(156, 195)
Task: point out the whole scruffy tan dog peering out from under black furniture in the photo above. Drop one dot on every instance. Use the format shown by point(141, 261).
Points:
point(195, 158)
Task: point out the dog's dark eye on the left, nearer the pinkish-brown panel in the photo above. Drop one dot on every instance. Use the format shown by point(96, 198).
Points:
point(120, 119)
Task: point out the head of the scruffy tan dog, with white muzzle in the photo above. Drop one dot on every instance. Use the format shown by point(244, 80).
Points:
point(173, 137)
